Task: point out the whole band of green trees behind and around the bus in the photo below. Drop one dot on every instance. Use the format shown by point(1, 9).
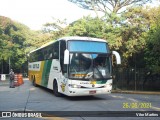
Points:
point(133, 33)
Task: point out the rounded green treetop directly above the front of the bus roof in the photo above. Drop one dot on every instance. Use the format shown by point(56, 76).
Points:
point(87, 26)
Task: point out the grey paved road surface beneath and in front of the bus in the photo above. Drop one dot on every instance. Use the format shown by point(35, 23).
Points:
point(29, 98)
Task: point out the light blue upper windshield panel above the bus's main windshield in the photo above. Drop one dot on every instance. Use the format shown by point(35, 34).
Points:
point(87, 46)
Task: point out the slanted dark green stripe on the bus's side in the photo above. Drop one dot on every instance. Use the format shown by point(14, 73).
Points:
point(46, 71)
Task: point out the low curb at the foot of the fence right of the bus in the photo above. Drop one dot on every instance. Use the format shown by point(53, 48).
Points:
point(136, 92)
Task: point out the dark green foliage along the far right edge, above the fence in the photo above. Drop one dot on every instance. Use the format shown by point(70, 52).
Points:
point(152, 56)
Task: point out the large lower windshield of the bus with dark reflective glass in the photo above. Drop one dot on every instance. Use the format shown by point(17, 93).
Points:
point(89, 66)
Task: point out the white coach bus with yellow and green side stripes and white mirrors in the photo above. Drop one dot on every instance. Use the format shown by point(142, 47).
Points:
point(73, 66)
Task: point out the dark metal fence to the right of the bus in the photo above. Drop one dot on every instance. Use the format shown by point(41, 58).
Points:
point(135, 79)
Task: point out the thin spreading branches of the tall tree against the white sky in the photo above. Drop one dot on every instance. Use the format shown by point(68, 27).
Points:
point(108, 6)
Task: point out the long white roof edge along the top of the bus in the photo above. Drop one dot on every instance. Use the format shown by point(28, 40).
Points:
point(70, 38)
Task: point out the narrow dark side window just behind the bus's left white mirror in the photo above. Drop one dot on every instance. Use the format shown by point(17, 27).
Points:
point(62, 49)
